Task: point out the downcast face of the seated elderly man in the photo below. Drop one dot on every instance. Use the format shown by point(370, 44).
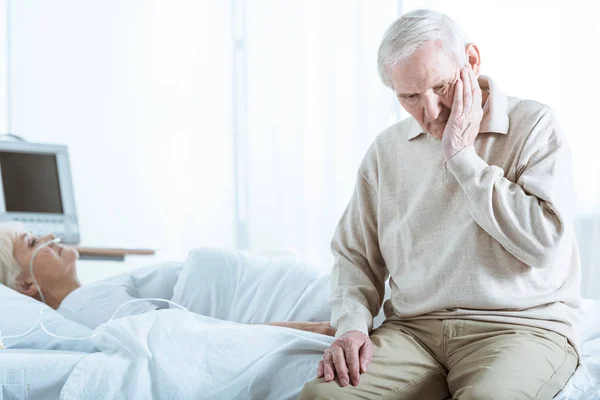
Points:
point(424, 85)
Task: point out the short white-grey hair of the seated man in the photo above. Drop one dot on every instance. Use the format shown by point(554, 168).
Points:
point(411, 31)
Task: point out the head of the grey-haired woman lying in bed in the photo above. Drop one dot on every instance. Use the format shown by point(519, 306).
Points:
point(54, 266)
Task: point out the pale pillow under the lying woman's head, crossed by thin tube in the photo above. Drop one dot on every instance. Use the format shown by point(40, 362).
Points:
point(19, 313)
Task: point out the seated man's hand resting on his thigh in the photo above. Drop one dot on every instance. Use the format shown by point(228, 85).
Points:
point(348, 356)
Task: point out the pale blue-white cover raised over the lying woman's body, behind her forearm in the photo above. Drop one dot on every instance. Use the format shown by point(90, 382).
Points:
point(249, 288)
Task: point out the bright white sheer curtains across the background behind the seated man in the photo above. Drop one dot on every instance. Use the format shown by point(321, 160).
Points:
point(142, 91)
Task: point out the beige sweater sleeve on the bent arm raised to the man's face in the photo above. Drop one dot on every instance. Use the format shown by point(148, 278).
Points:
point(529, 217)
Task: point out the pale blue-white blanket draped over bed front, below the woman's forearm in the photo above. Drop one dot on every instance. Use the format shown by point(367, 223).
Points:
point(173, 354)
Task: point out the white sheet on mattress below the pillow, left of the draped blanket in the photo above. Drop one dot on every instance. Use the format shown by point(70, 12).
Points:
point(47, 370)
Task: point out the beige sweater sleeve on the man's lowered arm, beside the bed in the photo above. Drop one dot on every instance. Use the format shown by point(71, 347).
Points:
point(359, 273)
